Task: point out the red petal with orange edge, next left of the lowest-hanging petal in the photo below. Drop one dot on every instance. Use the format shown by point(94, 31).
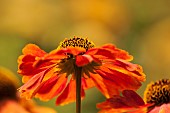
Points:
point(52, 87)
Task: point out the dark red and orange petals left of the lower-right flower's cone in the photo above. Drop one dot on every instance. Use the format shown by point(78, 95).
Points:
point(130, 102)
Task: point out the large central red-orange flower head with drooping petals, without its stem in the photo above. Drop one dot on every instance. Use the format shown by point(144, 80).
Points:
point(46, 75)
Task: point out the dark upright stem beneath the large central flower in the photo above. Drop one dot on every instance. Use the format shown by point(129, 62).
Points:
point(78, 71)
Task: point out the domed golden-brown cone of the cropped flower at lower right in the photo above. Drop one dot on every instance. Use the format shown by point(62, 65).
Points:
point(158, 92)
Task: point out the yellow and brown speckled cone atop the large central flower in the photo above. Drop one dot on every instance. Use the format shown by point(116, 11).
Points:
point(77, 42)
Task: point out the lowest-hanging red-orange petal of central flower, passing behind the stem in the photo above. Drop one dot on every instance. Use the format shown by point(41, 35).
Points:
point(69, 94)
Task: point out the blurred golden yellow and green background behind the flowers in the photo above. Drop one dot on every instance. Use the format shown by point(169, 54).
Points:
point(140, 27)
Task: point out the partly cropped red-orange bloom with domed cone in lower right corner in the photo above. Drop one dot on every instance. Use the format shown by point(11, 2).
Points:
point(156, 100)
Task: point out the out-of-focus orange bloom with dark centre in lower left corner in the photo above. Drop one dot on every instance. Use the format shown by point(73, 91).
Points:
point(10, 102)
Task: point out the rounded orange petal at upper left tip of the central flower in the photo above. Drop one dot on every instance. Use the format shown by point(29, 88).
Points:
point(34, 50)
